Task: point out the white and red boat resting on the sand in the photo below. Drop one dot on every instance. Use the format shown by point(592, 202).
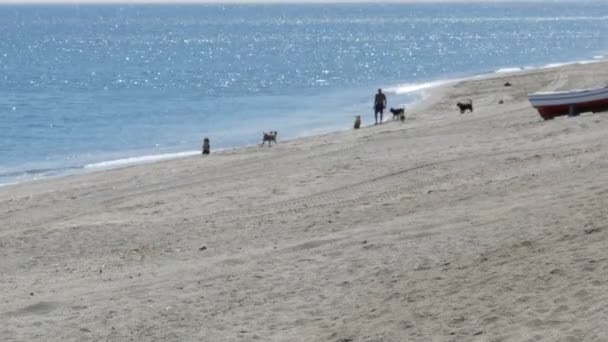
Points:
point(571, 102)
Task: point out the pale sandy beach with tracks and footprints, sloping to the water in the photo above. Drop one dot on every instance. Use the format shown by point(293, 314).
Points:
point(486, 226)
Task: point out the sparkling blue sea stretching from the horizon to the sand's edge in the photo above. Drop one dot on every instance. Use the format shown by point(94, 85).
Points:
point(87, 87)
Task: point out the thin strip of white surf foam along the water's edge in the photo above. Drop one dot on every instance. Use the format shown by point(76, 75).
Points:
point(415, 88)
